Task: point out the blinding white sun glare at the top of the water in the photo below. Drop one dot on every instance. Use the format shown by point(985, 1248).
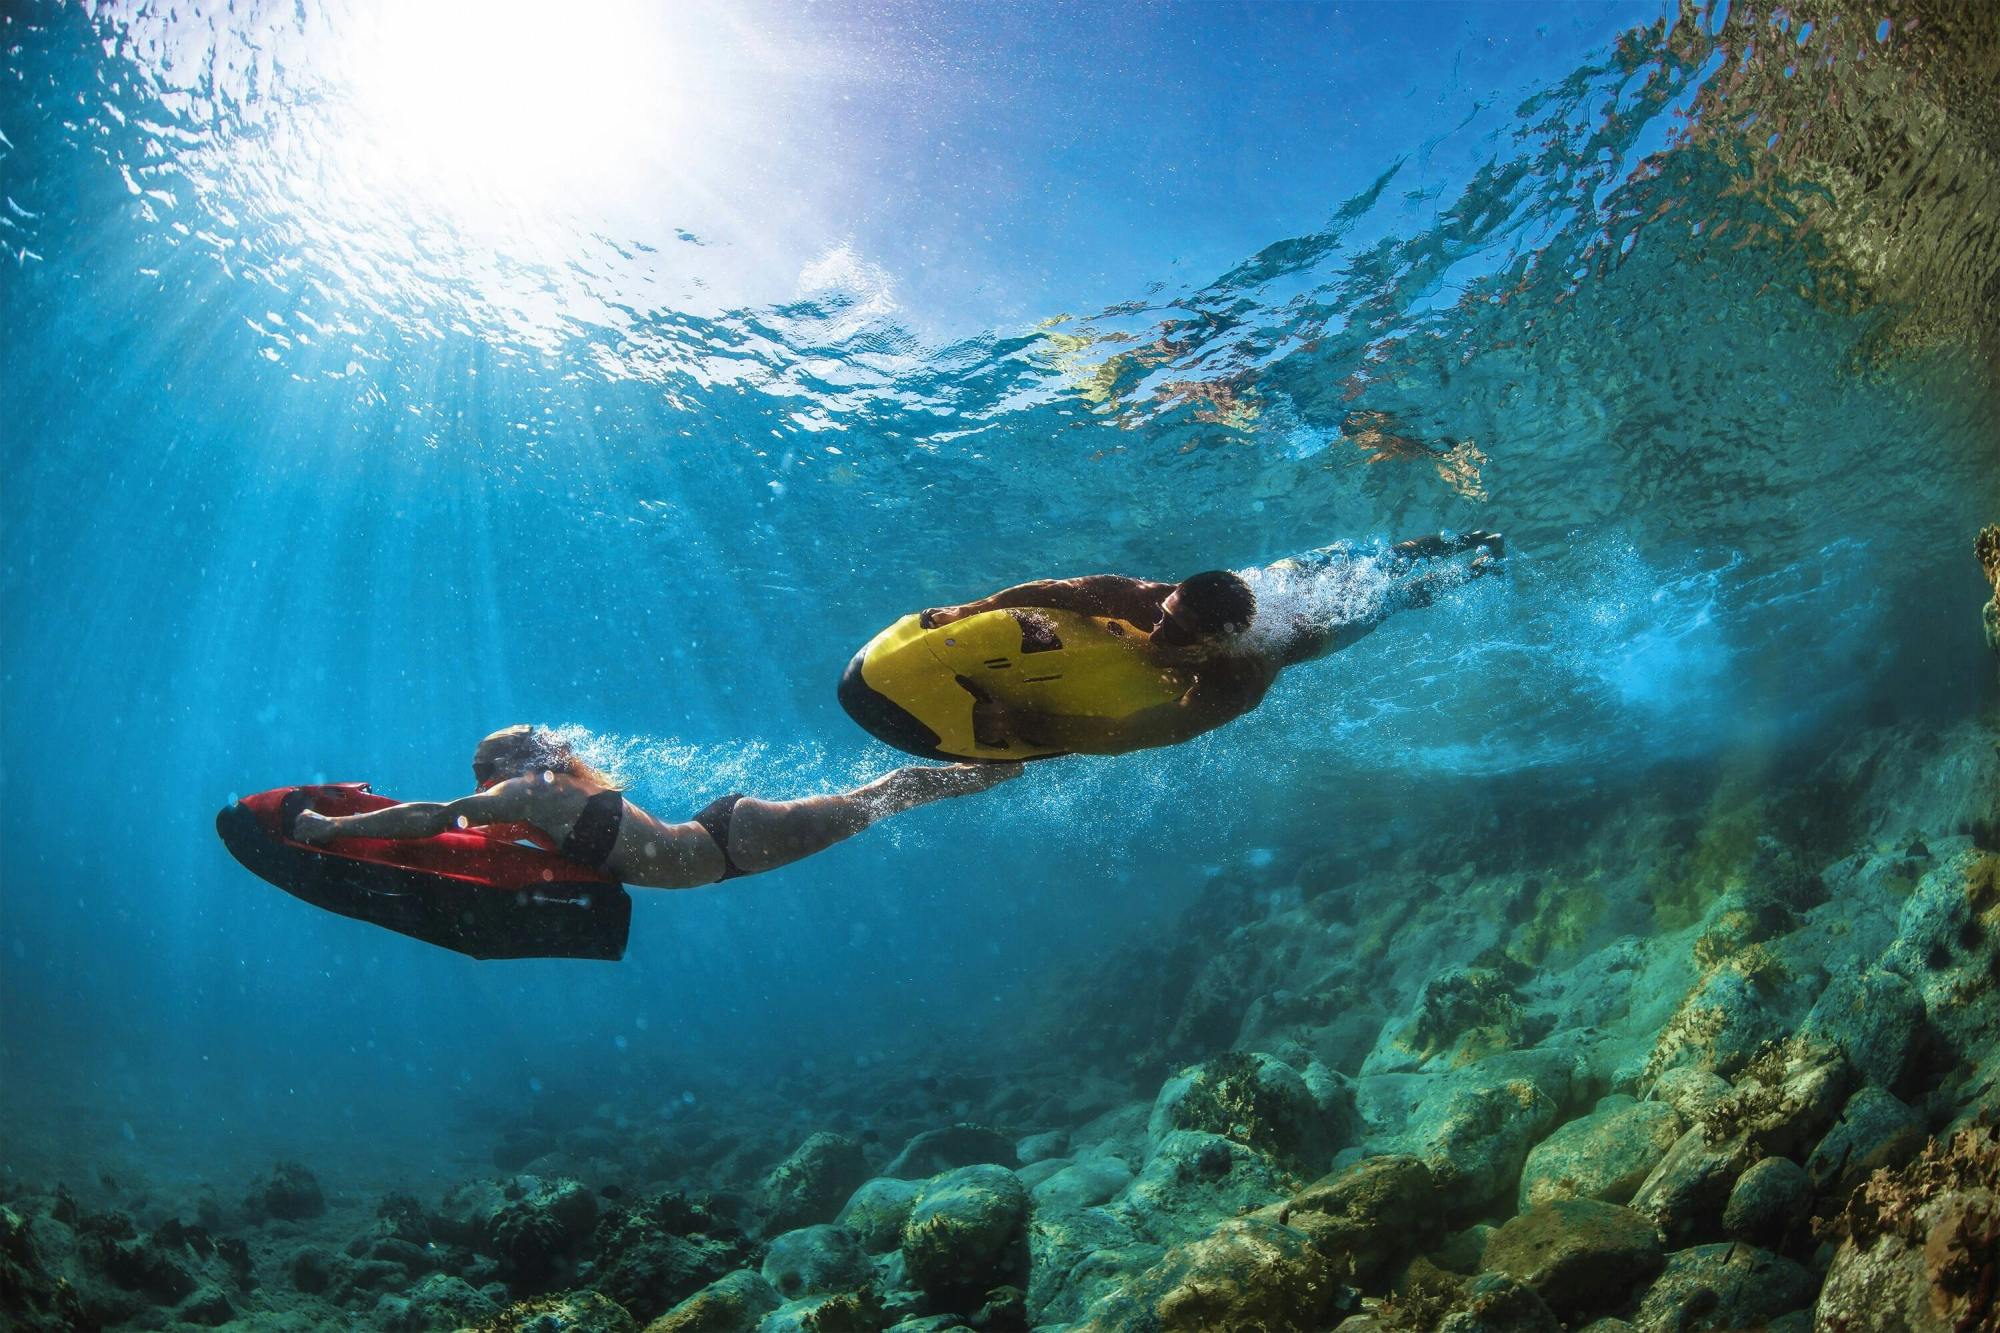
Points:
point(509, 105)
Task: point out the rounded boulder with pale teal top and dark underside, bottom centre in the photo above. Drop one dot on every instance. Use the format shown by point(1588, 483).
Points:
point(965, 1232)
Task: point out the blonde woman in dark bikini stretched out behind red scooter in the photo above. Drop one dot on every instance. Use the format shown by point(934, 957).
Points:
point(533, 786)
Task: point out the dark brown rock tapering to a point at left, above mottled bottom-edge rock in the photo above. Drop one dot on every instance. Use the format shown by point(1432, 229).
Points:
point(1371, 1216)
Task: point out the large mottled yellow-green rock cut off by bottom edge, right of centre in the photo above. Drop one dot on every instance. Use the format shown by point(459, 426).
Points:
point(1247, 1274)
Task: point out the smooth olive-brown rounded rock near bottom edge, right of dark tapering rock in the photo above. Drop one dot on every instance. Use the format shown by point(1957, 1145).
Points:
point(1579, 1256)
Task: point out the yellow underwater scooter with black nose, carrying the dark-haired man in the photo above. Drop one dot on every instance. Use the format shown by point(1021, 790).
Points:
point(919, 688)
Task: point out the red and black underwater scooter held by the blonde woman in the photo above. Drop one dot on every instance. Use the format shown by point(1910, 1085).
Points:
point(463, 890)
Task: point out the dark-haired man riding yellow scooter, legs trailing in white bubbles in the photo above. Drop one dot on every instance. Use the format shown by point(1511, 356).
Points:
point(1213, 635)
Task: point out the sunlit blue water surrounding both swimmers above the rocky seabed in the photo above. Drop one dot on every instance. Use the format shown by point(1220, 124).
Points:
point(349, 419)
